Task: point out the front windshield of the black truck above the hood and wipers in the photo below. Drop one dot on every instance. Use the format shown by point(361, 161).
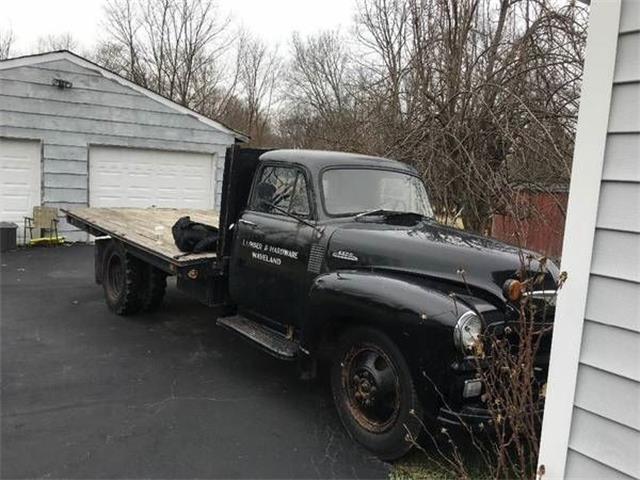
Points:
point(349, 191)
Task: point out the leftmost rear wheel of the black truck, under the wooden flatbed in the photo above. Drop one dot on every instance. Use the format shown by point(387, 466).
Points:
point(123, 280)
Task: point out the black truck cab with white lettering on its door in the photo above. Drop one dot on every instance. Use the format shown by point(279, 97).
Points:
point(298, 199)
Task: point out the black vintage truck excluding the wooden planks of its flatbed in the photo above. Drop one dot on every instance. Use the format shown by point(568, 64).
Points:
point(337, 256)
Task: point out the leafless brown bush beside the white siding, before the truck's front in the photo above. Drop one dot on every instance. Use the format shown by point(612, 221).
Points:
point(511, 361)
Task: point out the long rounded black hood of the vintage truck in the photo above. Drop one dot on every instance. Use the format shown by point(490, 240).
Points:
point(433, 250)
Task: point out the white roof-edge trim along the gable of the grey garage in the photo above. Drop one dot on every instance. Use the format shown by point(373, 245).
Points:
point(83, 62)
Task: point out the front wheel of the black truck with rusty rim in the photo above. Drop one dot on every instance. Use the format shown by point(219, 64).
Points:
point(392, 420)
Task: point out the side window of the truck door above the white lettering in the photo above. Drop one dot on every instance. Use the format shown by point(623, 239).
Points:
point(283, 187)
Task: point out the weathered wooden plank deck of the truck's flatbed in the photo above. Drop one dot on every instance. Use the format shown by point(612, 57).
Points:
point(138, 227)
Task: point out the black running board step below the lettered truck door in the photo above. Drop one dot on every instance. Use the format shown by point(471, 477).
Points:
point(273, 342)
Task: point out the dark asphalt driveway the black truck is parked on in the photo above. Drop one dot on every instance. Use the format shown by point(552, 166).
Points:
point(87, 394)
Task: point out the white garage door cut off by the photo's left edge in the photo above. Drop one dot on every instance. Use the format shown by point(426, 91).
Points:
point(19, 179)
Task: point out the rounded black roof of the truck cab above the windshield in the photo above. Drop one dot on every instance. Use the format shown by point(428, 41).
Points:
point(316, 160)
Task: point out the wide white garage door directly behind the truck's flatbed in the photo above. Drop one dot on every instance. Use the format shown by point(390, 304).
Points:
point(126, 177)
